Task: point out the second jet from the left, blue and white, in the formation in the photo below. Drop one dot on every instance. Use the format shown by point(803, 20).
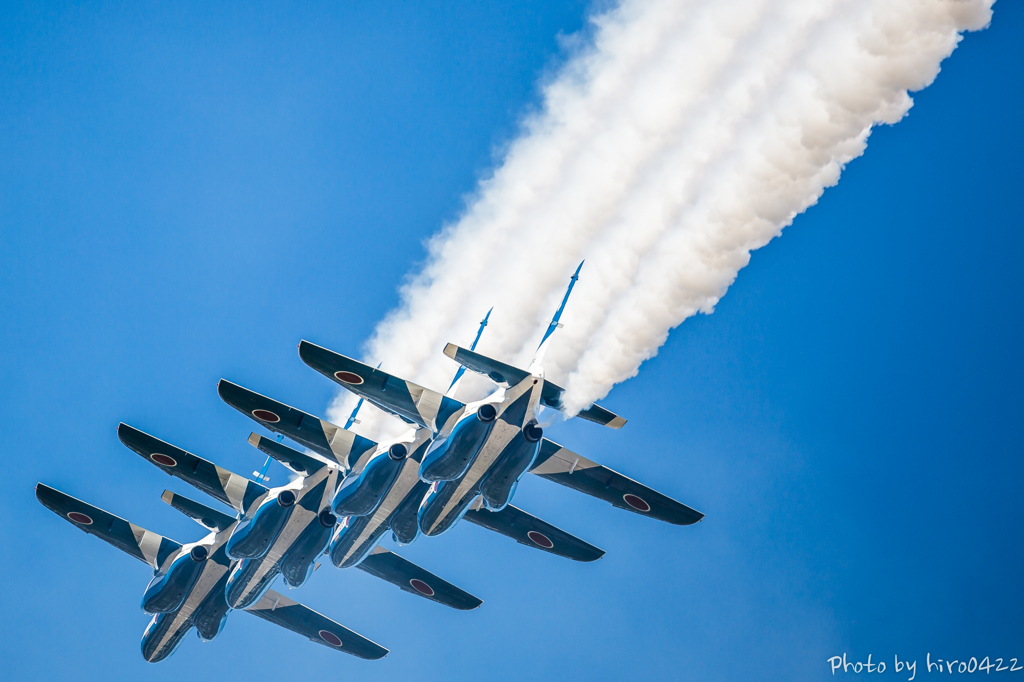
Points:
point(282, 531)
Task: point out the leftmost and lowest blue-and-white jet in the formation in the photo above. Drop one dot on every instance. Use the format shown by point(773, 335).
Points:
point(188, 587)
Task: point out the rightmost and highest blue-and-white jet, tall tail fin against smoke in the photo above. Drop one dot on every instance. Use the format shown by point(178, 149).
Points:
point(479, 451)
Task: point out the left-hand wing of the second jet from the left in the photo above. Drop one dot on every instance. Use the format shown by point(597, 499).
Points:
point(235, 491)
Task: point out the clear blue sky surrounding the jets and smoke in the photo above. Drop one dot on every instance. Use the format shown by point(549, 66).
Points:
point(188, 191)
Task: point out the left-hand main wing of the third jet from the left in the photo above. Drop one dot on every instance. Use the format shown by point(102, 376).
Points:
point(323, 438)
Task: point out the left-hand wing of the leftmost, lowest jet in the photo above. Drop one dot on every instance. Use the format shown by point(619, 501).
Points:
point(131, 539)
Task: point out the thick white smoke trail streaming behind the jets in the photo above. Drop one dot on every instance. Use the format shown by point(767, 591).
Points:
point(686, 136)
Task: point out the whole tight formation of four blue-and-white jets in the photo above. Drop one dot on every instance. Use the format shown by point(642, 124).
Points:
point(457, 461)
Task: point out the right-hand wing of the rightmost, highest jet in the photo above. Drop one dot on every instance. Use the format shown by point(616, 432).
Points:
point(567, 468)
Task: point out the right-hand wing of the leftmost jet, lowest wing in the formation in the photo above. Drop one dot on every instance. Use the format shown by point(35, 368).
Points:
point(281, 611)
